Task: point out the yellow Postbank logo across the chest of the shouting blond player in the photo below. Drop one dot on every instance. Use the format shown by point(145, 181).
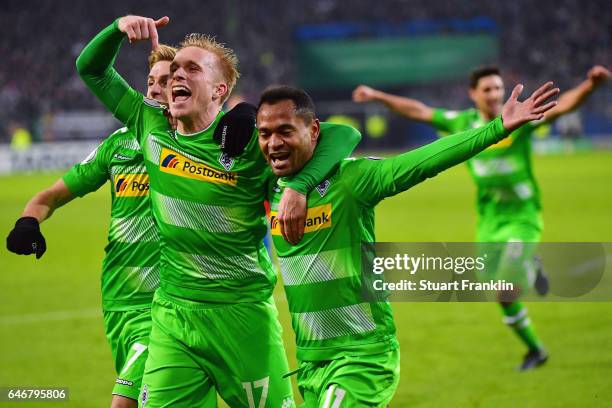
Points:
point(174, 163)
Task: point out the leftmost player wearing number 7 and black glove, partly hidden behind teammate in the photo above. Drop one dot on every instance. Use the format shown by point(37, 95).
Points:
point(130, 270)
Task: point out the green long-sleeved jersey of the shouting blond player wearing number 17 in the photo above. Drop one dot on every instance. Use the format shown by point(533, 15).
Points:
point(208, 207)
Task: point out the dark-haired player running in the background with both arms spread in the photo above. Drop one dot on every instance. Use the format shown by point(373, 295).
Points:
point(507, 193)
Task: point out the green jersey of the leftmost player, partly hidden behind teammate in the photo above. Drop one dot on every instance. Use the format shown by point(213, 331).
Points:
point(130, 271)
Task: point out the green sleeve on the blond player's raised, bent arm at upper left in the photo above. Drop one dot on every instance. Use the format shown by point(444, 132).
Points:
point(95, 66)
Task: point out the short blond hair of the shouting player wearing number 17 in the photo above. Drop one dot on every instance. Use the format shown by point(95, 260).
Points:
point(228, 61)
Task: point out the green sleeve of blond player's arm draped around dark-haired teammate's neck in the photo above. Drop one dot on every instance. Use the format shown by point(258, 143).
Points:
point(336, 142)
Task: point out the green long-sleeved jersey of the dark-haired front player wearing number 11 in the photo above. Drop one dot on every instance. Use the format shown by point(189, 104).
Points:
point(331, 314)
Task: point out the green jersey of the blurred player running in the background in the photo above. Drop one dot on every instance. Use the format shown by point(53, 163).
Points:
point(503, 173)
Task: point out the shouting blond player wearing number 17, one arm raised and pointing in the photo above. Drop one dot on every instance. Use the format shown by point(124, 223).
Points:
point(215, 324)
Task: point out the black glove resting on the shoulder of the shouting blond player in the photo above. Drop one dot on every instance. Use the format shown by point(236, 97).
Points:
point(235, 129)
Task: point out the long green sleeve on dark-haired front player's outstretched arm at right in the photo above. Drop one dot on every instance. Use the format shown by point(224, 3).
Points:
point(370, 181)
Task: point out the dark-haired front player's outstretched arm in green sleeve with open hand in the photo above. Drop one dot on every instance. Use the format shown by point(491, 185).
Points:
point(373, 181)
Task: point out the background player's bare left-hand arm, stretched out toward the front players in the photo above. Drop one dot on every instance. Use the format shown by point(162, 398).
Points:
point(411, 108)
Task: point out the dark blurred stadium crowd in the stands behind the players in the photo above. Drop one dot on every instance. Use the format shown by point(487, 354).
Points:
point(37, 74)
